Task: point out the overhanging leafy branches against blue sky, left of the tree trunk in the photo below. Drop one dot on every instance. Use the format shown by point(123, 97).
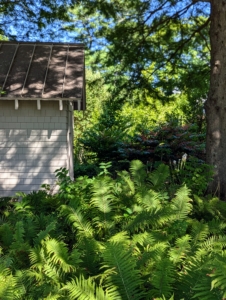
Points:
point(148, 49)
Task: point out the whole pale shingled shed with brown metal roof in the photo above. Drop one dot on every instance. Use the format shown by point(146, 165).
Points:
point(41, 83)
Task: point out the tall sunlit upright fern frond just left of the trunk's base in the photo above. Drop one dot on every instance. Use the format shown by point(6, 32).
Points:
point(181, 205)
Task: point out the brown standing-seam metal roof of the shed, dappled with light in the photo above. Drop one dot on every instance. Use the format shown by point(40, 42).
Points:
point(43, 71)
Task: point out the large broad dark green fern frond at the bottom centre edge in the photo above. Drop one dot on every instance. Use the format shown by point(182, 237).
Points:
point(120, 265)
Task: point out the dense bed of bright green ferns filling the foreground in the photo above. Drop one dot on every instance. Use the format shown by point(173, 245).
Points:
point(137, 235)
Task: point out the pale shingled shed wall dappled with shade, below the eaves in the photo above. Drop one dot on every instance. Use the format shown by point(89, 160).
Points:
point(33, 144)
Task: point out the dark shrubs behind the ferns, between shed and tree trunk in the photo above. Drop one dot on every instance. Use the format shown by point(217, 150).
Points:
point(112, 139)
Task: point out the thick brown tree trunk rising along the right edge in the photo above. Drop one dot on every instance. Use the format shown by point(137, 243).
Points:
point(216, 102)
